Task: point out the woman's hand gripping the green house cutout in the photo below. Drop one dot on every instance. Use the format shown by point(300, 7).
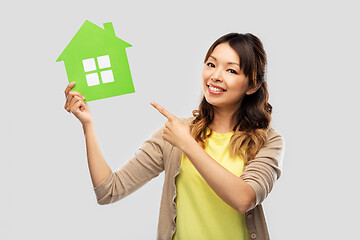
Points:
point(75, 104)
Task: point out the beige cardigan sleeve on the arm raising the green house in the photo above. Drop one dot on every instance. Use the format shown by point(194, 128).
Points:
point(146, 164)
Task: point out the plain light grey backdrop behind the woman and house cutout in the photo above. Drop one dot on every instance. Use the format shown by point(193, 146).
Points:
point(313, 54)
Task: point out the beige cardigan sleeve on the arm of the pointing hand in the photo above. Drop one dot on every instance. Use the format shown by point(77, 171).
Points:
point(262, 171)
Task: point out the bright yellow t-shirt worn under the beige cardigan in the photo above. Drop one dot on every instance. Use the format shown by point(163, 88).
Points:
point(201, 214)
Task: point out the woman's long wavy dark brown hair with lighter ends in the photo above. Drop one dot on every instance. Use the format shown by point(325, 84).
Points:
point(254, 113)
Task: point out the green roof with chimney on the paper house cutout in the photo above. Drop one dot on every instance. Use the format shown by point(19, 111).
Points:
point(87, 32)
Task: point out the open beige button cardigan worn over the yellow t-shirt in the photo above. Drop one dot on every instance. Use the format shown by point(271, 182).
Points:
point(156, 155)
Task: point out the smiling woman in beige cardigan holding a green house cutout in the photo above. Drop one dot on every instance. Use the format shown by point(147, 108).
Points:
point(220, 164)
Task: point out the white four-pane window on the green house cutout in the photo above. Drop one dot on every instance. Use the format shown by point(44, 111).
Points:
point(98, 70)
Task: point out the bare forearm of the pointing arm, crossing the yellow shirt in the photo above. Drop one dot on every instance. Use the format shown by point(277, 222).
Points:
point(230, 188)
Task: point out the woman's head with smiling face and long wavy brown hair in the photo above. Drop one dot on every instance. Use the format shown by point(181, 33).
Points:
point(235, 63)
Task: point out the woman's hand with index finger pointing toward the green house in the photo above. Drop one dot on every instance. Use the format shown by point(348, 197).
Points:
point(175, 131)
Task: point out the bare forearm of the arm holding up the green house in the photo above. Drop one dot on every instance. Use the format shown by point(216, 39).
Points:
point(99, 169)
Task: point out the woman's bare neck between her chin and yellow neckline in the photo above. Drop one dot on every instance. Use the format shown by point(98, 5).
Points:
point(223, 121)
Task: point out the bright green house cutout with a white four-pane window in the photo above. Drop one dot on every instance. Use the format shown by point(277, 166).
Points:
point(96, 60)
